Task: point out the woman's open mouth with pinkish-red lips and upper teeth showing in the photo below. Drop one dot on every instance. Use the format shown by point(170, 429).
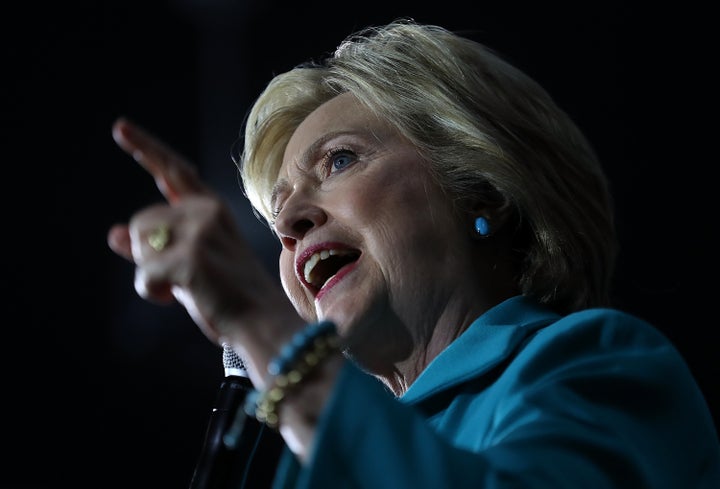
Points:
point(318, 264)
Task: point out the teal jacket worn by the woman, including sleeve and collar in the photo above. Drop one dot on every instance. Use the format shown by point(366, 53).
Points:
point(524, 398)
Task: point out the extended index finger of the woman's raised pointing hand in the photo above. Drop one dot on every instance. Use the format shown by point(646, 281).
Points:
point(174, 176)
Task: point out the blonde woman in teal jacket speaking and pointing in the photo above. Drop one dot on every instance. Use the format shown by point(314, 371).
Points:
point(447, 251)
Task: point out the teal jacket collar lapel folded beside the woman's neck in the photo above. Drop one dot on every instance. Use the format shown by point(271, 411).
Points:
point(489, 340)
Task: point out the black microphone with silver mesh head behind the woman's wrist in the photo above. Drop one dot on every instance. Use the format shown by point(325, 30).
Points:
point(224, 465)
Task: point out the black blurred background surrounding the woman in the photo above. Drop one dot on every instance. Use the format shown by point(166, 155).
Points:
point(105, 390)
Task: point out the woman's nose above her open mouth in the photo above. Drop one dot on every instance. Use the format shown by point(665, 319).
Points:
point(299, 215)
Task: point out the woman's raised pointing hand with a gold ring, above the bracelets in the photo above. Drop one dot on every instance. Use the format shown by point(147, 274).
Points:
point(191, 250)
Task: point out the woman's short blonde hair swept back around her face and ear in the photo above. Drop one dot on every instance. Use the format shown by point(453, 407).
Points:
point(487, 130)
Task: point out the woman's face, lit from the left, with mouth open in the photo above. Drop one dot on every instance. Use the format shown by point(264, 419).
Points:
point(369, 240)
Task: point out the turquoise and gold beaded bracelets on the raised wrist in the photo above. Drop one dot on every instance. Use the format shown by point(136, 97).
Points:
point(295, 361)
